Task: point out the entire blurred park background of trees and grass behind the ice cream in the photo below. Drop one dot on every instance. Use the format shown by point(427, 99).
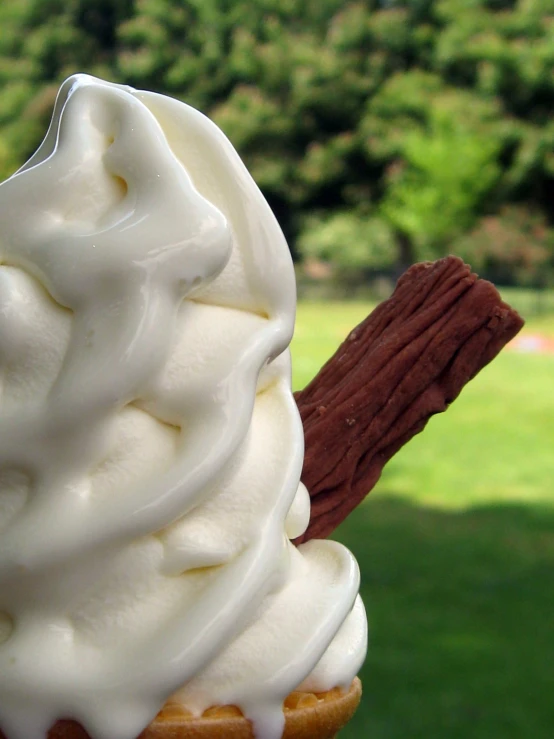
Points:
point(383, 133)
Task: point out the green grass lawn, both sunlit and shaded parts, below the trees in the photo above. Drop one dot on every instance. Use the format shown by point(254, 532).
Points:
point(456, 549)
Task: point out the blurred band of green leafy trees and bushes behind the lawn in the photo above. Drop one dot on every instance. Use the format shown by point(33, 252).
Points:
point(419, 118)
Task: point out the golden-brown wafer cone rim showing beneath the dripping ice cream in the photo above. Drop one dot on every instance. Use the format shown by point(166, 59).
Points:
point(307, 716)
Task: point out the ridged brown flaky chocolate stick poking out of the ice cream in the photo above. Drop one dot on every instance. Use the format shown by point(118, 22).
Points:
point(408, 360)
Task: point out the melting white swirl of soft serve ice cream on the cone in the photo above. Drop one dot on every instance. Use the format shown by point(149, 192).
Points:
point(150, 445)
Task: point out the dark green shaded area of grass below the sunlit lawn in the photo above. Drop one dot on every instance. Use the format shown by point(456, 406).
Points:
point(461, 614)
